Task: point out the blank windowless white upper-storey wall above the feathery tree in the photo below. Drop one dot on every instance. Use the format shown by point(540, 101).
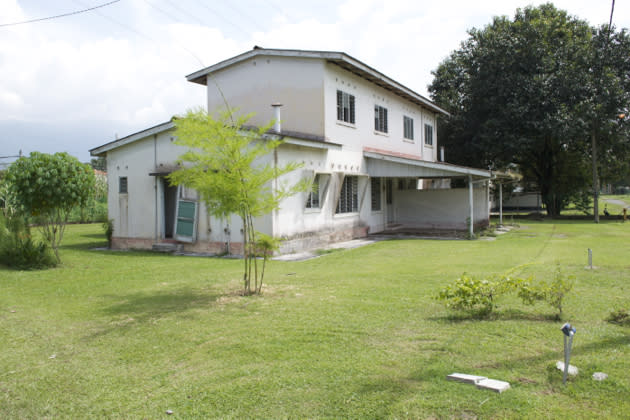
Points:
point(254, 84)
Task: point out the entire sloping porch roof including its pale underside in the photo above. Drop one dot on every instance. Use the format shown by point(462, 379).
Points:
point(382, 164)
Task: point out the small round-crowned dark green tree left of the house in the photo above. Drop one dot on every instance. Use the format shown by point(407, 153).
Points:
point(49, 187)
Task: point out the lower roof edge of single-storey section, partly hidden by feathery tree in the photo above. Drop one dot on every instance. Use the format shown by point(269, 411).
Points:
point(289, 137)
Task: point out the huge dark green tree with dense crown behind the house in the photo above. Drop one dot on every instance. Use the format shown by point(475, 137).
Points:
point(517, 91)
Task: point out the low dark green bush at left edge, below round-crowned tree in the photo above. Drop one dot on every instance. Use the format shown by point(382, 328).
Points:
point(19, 250)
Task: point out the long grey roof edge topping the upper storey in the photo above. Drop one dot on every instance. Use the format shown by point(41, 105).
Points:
point(341, 59)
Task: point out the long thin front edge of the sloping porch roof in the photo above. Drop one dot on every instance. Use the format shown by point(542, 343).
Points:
point(431, 169)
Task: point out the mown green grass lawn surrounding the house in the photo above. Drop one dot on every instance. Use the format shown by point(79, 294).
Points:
point(352, 334)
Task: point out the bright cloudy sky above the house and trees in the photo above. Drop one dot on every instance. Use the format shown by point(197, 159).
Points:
point(74, 83)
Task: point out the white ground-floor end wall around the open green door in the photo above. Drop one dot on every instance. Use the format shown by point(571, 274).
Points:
point(140, 214)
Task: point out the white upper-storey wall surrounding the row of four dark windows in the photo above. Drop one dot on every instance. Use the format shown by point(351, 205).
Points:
point(362, 134)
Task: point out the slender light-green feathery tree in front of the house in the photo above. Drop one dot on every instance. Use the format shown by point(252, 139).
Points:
point(225, 163)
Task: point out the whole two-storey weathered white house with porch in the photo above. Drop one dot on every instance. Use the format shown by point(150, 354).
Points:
point(368, 144)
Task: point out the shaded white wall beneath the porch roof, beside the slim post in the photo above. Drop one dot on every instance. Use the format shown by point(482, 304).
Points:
point(440, 209)
